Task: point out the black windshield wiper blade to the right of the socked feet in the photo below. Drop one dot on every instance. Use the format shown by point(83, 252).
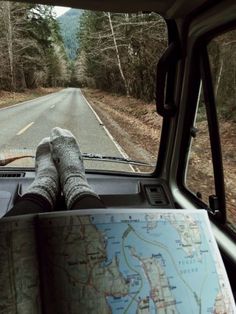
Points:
point(99, 157)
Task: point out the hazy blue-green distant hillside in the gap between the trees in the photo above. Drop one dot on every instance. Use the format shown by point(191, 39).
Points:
point(69, 23)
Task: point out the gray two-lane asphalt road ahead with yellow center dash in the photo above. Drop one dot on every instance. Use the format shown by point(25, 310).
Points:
point(24, 125)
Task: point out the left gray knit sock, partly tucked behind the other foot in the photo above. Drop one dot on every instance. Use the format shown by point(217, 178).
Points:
point(46, 181)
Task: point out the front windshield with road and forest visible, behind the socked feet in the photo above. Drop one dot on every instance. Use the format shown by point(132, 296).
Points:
point(90, 72)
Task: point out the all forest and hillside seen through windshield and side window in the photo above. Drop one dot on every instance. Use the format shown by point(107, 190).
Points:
point(113, 52)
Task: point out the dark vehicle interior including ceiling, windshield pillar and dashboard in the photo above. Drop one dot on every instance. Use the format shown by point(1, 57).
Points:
point(188, 23)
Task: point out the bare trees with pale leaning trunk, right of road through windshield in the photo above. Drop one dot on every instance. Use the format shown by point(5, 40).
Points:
point(121, 51)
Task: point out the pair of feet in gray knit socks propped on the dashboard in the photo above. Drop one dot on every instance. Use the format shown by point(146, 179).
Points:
point(59, 166)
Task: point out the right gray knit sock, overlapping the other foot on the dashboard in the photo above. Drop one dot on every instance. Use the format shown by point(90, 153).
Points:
point(68, 160)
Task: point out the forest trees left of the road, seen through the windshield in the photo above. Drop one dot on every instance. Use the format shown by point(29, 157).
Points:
point(32, 53)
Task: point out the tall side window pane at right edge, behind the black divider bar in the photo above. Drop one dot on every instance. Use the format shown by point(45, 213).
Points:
point(222, 54)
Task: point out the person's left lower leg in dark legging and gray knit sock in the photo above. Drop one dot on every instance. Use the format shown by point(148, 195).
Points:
point(42, 193)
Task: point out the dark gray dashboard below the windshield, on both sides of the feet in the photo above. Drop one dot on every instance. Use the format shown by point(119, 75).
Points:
point(116, 191)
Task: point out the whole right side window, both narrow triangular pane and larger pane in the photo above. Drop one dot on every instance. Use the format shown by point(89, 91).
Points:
point(200, 177)
